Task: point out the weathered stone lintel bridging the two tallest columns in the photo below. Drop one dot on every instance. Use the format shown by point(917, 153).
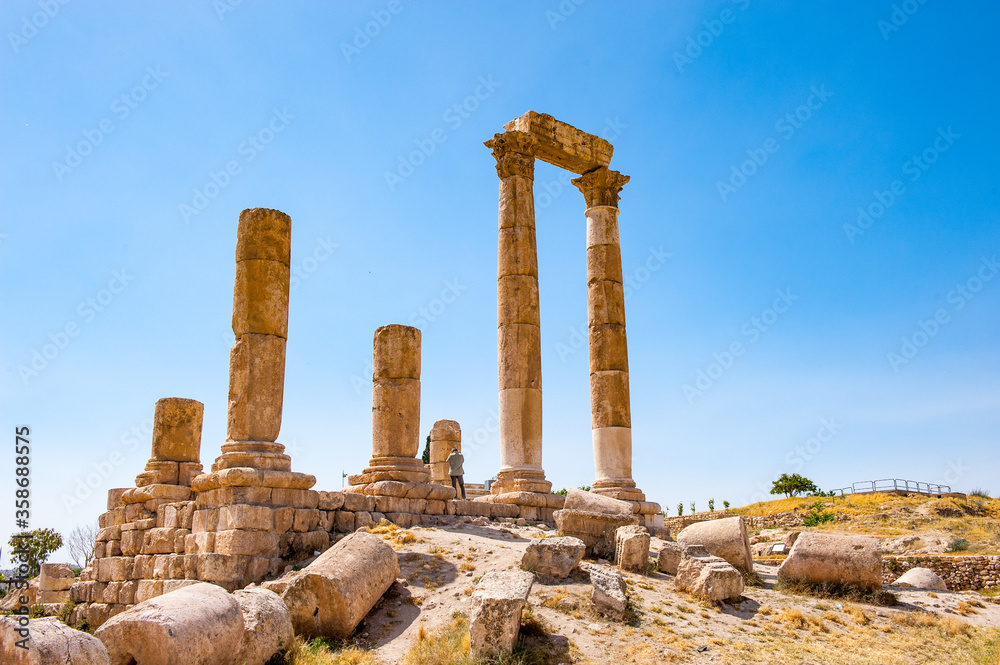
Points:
point(561, 144)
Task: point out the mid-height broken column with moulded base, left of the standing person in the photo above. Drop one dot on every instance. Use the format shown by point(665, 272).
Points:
point(395, 408)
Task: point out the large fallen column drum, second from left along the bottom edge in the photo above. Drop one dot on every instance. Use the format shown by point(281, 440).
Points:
point(200, 624)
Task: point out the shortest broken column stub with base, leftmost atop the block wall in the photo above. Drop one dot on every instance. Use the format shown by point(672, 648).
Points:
point(176, 454)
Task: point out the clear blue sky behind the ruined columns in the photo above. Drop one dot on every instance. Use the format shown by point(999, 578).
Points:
point(753, 133)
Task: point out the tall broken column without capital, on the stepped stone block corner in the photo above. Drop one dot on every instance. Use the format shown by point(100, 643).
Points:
point(257, 360)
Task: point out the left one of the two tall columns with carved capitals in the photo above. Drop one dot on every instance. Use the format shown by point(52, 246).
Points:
point(518, 332)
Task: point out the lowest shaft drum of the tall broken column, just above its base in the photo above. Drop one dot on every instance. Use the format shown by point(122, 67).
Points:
point(256, 388)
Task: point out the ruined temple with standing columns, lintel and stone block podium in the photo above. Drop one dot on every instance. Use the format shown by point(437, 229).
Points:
point(250, 516)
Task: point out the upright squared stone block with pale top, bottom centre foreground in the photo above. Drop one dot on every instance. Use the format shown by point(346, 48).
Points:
point(495, 620)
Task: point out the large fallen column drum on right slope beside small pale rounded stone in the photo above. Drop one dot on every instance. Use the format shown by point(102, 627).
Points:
point(820, 558)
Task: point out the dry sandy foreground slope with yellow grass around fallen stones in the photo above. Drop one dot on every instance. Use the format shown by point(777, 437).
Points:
point(440, 566)
